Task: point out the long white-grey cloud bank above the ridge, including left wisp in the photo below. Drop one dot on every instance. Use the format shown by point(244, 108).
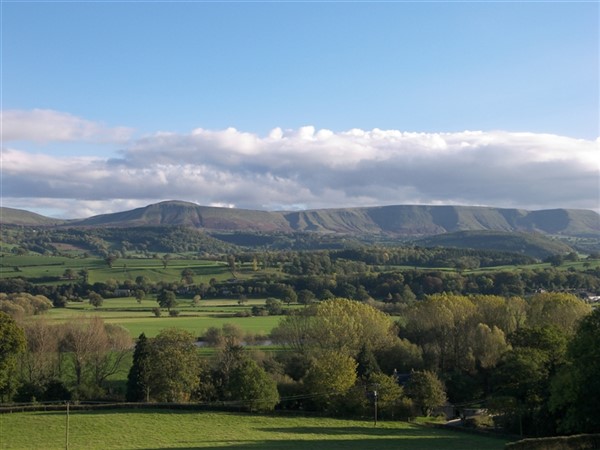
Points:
point(296, 169)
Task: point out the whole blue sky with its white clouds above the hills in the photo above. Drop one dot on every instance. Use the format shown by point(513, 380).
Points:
point(109, 105)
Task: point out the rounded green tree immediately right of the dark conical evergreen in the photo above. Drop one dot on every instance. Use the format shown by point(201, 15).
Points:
point(174, 366)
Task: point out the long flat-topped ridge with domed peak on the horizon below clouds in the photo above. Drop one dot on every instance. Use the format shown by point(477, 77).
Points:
point(399, 220)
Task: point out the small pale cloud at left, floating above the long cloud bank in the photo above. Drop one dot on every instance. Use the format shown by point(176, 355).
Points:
point(45, 125)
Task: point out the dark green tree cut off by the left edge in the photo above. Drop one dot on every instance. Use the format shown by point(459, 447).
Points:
point(12, 345)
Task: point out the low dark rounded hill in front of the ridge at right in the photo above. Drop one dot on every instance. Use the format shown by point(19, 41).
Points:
point(536, 245)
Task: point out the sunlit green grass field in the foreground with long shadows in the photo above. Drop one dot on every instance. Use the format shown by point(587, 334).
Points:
point(209, 430)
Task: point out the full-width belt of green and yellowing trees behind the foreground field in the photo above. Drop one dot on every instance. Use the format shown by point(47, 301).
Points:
point(533, 361)
